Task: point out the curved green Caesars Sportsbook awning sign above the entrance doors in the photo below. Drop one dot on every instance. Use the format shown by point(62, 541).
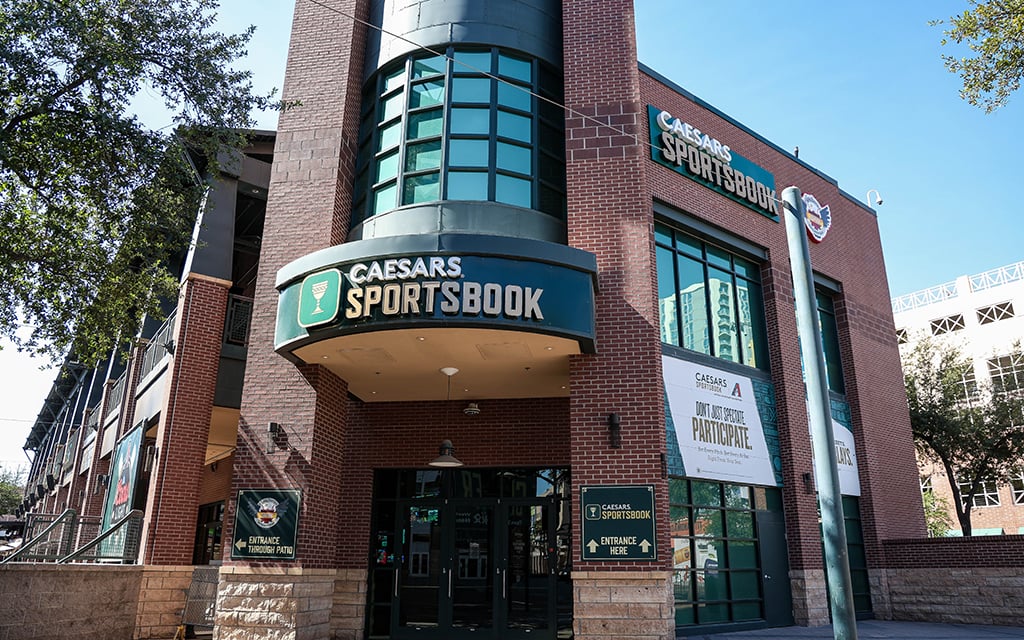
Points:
point(443, 281)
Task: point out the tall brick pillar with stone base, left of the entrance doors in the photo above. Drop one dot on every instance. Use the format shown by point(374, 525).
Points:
point(309, 209)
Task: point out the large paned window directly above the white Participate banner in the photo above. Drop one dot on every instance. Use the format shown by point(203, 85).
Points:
point(710, 300)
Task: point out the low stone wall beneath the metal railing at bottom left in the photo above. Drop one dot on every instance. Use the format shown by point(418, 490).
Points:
point(90, 603)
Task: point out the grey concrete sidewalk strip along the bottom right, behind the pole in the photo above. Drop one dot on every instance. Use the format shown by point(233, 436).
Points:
point(876, 629)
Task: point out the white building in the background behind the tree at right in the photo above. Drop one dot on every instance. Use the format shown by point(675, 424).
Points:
point(985, 316)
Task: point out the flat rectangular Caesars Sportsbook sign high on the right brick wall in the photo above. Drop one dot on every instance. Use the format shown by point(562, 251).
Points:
point(703, 158)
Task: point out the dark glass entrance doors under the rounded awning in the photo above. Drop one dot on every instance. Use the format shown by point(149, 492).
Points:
point(481, 569)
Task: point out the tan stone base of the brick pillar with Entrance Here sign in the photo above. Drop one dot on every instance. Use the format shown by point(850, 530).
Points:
point(623, 605)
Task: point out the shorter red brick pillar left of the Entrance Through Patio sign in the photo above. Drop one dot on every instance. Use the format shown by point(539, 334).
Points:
point(173, 503)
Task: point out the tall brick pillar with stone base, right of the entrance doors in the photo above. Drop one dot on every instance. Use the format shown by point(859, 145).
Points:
point(611, 216)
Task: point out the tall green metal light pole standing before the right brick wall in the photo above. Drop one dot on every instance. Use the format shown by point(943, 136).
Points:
point(820, 417)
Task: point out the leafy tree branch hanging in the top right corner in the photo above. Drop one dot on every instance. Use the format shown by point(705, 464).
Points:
point(994, 30)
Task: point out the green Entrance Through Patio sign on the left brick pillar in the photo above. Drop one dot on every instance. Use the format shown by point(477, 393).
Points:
point(266, 525)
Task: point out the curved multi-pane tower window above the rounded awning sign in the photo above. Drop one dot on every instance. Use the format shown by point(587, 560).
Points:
point(464, 126)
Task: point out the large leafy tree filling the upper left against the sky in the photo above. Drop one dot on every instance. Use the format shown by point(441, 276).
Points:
point(94, 205)
